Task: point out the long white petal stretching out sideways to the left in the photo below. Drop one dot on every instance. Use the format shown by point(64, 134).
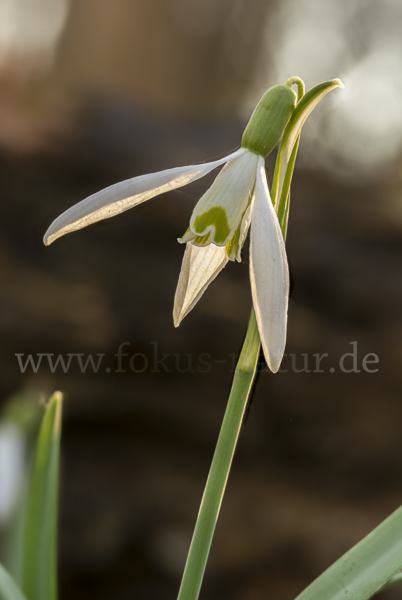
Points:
point(121, 196)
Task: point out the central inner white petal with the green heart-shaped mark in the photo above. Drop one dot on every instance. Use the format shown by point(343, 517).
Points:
point(220, 210)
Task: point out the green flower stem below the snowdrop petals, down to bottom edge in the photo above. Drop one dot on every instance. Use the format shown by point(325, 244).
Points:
point(221, 463)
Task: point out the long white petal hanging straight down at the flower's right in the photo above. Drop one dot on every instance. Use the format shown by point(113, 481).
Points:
point(269, 274)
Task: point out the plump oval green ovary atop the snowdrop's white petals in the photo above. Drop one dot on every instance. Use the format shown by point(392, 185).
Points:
point(269, 120)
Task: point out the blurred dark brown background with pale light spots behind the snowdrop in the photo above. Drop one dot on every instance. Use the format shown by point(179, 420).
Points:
point(93, 92)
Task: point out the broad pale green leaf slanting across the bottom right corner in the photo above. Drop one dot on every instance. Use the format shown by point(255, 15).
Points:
point(359, 573)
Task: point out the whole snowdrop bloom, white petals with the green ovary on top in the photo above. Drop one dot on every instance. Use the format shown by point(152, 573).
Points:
point(237, 200)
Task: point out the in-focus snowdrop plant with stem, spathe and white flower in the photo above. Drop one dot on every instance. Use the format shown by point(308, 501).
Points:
point(237, 201)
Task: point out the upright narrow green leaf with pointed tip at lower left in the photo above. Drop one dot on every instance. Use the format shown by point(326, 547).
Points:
point(39, 580)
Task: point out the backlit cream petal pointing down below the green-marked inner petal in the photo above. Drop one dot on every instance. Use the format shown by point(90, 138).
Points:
point(199, 268)
